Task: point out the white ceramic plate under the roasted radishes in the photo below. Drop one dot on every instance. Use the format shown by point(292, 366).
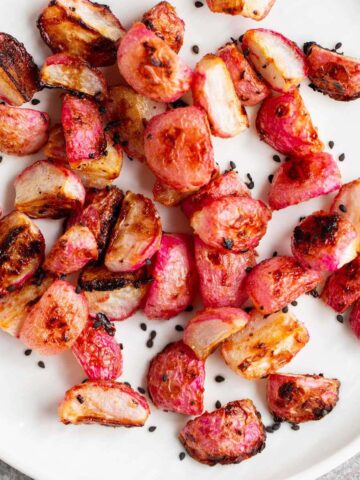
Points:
point(31, 437)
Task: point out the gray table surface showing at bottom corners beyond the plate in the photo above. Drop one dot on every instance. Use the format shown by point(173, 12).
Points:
point(347, 471)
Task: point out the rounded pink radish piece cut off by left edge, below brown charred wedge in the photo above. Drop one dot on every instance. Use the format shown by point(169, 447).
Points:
point(23, 131)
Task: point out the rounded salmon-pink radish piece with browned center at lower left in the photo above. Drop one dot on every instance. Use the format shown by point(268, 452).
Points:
point(56, 321)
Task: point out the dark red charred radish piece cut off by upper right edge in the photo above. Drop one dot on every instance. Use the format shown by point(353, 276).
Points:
point(332, 73)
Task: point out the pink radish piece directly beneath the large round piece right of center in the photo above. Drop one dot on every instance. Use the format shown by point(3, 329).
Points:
point(222, 275)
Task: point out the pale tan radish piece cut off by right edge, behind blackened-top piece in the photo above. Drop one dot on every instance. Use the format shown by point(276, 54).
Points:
point(346, 204)
